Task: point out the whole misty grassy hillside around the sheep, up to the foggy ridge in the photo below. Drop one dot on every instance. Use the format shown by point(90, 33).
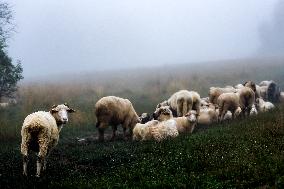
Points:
point(244, 153)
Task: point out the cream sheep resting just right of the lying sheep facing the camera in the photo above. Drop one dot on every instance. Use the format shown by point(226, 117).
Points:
point(208, 114)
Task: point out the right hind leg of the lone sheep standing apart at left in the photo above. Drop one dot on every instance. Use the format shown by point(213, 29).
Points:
point(43, 148)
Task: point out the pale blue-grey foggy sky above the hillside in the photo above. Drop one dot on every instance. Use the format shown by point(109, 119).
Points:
point(73, 36)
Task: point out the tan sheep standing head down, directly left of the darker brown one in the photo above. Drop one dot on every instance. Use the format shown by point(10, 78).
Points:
point(231, 102)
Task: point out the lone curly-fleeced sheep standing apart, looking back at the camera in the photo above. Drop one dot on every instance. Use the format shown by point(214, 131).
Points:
point(40, 133)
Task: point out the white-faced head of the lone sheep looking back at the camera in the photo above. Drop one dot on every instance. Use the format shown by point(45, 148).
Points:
point(60, 113)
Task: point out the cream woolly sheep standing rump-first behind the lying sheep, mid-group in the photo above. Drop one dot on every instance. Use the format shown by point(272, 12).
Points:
point(182, 102)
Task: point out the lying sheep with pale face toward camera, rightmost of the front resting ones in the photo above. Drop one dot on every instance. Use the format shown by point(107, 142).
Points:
point(187, 123)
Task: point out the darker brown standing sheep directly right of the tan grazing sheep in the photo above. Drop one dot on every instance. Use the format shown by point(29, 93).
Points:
point(247, 99)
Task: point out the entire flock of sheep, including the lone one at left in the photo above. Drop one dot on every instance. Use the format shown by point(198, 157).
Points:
point(179, 114)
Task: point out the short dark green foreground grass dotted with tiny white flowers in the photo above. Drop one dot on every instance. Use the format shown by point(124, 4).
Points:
point(241, 154)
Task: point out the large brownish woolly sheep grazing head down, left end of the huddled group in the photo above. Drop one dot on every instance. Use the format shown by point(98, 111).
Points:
point(112, 110)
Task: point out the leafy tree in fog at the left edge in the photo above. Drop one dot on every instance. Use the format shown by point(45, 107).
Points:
point(9, 74)
